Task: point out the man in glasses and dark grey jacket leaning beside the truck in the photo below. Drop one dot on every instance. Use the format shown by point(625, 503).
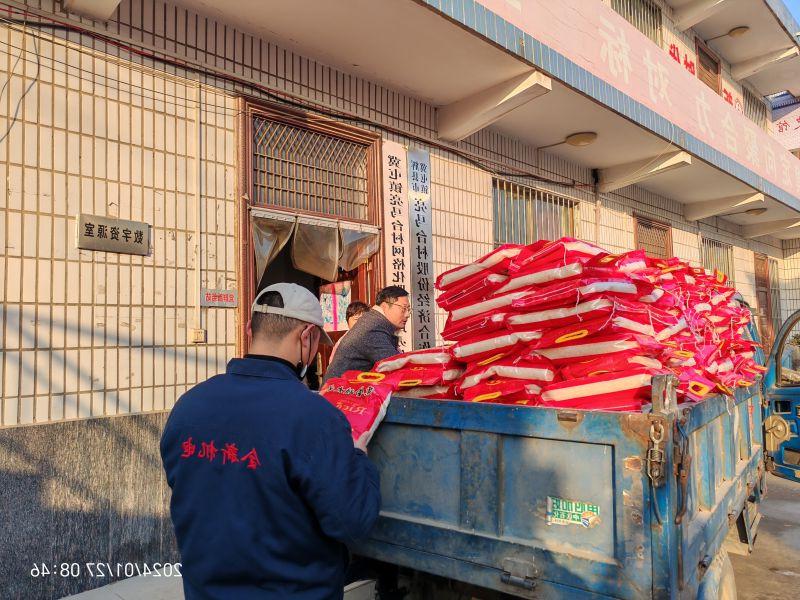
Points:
point(374, 336)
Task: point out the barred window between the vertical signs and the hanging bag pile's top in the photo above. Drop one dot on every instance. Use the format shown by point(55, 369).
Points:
point(523, 215)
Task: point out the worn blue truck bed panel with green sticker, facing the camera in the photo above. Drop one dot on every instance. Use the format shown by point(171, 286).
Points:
point(526, 501)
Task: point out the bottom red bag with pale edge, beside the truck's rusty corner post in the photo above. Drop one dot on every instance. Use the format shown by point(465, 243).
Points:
point(609, 391)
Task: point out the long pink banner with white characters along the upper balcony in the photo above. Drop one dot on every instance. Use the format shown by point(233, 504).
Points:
point(628, 60)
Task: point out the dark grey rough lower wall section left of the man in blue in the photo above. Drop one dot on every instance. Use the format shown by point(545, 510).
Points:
point(84, 491)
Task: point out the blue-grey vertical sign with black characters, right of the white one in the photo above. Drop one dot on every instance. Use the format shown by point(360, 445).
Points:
point(420, 217)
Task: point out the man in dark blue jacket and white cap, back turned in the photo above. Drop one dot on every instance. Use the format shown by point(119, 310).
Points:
point(267, 487)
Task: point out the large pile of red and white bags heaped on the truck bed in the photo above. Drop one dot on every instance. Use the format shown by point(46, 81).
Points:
point(566, 324)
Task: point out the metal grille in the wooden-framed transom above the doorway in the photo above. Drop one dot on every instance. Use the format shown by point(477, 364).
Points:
point(308, 171)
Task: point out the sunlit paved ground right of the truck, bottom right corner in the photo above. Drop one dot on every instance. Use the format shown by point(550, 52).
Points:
point(772, 571)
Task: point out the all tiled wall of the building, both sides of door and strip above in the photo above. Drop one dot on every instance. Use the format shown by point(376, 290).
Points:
point(94, 334)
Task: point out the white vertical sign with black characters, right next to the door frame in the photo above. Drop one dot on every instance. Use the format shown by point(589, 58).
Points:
point(395, 224)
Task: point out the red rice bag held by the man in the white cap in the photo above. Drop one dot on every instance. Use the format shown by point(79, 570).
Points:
point(363, 403)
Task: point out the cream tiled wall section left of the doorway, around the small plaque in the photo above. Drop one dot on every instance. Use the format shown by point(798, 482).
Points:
point(90, 333)
